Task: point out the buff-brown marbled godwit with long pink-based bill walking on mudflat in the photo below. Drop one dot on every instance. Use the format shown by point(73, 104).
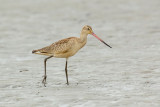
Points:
point(66, 48)
